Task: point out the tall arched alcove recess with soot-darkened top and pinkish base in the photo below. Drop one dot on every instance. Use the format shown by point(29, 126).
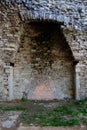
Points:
point(43, 67)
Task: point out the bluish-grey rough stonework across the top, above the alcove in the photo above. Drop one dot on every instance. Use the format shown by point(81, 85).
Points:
point(70, 12)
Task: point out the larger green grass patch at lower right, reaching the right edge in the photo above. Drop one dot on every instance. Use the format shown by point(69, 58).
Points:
point(68, 115)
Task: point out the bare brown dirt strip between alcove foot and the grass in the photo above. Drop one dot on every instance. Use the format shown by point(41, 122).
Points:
point(35, 105)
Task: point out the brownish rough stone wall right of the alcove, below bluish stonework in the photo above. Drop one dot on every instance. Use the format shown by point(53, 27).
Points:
point(79, 49)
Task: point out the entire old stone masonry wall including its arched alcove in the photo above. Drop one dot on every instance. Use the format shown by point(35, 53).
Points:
point(42, 46)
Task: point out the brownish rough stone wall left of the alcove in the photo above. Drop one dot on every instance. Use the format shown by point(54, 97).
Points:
point(9, 40)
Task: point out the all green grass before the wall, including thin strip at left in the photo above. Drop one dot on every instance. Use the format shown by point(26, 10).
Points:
point(74, 113)
